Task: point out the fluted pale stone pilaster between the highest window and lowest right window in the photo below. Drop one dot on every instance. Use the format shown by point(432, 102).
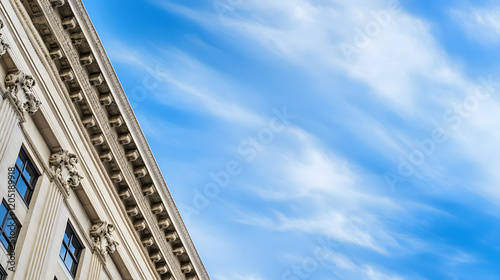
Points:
point(39, 253)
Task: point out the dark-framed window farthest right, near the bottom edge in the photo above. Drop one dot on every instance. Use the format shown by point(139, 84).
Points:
point(71, 250)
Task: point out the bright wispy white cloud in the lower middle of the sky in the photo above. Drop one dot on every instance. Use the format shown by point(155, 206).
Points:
point(334, 200)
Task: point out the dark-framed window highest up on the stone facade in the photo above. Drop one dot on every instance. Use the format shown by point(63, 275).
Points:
point(25, 176)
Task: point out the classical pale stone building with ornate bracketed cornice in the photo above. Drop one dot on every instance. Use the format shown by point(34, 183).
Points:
point(82, 196)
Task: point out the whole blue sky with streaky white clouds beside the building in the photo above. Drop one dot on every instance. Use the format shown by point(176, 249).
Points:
point(321, 139)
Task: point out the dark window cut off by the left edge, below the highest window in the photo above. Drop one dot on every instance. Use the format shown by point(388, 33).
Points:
point(9, 228)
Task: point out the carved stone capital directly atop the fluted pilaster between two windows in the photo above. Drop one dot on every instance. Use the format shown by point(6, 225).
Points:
point(63, 167)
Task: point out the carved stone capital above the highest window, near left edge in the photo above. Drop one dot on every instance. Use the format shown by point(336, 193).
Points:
point(20, 88)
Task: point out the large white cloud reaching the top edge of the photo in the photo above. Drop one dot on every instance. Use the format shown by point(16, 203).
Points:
point(393, 63)
